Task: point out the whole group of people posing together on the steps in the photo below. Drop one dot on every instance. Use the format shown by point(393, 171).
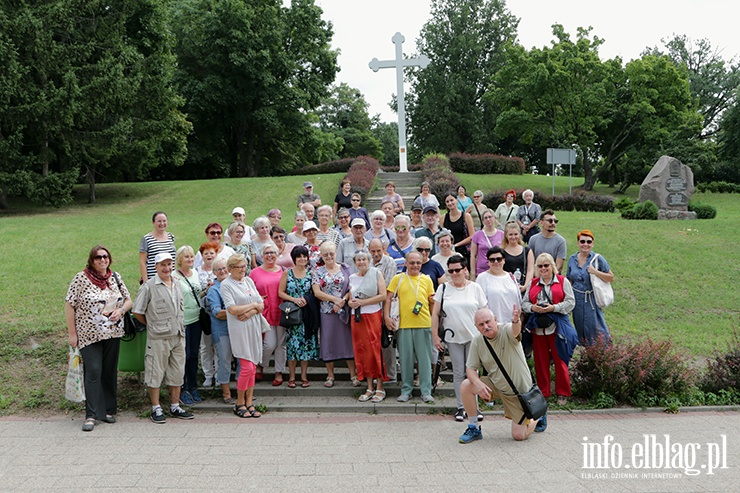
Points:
point(436, 284)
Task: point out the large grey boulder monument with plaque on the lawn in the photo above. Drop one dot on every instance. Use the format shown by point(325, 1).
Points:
point(669, 185)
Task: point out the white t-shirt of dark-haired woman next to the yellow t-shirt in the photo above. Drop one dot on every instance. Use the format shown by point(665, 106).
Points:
point(460, 305)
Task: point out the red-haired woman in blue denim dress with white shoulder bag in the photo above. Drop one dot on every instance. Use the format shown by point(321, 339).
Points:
point(587, 316)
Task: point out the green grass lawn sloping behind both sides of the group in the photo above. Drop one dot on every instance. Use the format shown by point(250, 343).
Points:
point(672, 277)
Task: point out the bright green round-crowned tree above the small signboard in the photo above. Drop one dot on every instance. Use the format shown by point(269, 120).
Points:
point(557, 96)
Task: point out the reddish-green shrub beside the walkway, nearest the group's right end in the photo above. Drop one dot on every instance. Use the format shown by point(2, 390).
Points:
point(637, 372)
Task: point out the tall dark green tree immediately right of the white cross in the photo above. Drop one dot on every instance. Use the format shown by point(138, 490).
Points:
point(464, 39)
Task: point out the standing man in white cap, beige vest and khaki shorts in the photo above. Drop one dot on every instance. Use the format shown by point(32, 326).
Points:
point(159, 305)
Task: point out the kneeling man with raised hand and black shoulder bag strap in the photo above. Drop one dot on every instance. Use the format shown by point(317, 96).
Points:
point(505, 339)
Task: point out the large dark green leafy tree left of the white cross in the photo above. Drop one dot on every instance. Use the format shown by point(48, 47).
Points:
point(251, 71)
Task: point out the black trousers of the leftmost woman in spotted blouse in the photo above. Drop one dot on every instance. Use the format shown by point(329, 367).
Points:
point(100, 361)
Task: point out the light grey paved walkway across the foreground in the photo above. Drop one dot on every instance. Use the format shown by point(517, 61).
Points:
point(302, 452)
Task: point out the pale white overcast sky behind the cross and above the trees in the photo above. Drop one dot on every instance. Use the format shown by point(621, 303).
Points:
point(363, 30)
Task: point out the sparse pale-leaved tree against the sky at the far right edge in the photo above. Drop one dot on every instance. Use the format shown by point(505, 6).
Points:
point(713, 80)
